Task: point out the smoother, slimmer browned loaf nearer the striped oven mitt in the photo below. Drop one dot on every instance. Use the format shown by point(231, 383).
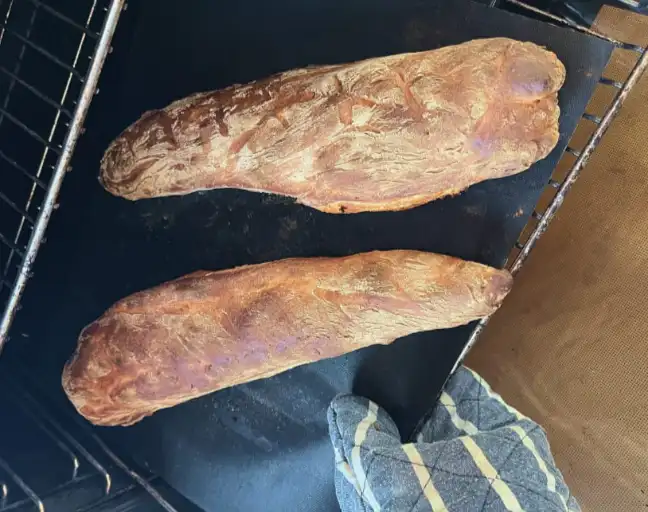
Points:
point(211, 330)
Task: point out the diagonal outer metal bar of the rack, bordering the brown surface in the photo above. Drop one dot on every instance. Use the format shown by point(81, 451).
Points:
point(581, 160)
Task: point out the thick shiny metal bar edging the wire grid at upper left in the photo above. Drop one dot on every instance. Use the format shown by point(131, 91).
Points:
point(87, 92)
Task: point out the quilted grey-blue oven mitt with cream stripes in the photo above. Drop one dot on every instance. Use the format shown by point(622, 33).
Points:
point(475, 453)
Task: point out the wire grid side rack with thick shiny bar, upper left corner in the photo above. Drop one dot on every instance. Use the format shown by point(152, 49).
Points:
point(45, 94)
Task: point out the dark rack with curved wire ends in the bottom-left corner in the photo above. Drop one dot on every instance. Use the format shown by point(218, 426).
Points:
point(82, 472)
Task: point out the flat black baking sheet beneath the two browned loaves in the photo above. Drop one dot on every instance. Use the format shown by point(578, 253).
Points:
point(264, 445)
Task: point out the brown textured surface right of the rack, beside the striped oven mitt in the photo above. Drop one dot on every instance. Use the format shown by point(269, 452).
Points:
point(570, 345)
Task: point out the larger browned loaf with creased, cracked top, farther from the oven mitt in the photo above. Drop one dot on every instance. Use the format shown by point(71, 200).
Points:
point(382, 134)
